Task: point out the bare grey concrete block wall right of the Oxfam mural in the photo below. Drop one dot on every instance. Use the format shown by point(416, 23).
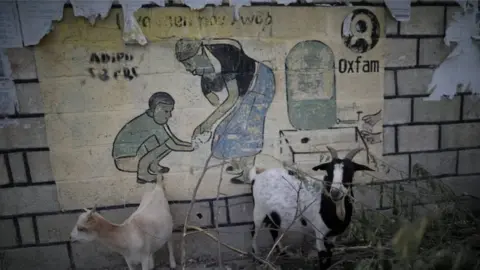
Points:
point(441, 136)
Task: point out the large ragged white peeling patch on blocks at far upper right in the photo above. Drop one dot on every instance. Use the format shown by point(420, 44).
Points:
point(459, 71)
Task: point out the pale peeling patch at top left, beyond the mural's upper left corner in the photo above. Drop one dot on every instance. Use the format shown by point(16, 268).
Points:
point(36, 18)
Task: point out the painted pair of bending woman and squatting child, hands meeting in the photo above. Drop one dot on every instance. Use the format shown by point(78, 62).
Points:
point(250, 86)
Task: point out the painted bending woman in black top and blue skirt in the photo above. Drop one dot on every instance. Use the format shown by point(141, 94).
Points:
point(250, 88)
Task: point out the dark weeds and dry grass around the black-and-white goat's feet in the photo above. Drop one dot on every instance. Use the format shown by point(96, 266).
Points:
point(425, 227)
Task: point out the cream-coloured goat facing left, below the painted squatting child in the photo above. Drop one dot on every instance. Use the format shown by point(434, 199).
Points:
point(139, 236)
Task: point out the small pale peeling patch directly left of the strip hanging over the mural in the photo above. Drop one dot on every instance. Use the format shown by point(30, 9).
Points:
point(91, 9)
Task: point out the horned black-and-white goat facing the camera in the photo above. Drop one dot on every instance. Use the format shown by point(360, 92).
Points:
point(279, 197)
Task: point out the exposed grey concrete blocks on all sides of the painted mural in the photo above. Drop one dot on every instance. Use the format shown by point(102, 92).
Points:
point(442, 136)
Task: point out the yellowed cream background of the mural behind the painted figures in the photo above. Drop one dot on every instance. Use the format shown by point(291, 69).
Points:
point(84, 113)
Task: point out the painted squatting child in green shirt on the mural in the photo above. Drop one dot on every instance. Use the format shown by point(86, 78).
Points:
point(144, 141)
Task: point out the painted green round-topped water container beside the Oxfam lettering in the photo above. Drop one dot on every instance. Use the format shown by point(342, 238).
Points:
point(310, 85)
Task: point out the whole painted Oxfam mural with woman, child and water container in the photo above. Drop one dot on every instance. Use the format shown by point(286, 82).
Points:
point(258, 90)
